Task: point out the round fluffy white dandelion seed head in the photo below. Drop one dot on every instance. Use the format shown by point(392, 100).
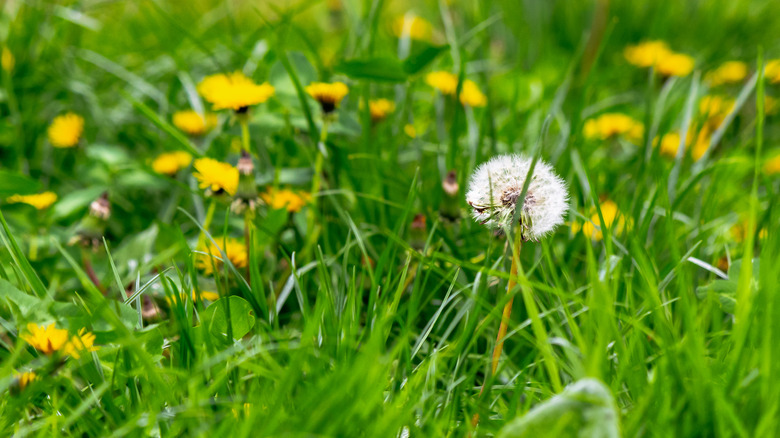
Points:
point(495, 186)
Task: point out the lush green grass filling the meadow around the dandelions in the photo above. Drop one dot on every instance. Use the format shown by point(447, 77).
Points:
point(352, 322)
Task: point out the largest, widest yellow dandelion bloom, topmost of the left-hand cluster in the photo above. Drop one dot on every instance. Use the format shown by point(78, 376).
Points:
point(234, 91)
